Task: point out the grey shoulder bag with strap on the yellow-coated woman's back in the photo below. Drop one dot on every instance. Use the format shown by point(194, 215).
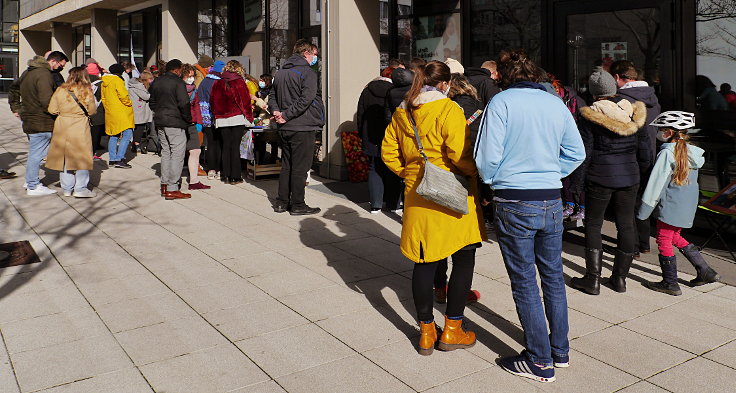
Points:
point(440, 186)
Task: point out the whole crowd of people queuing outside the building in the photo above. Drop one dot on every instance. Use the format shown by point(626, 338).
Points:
point(534, 153)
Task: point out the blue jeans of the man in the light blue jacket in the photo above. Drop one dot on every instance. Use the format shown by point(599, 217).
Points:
point(530, 235)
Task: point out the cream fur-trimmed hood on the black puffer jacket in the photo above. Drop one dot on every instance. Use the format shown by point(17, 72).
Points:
point(621, 117)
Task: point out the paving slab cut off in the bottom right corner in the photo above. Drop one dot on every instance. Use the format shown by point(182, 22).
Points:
point(697, 375)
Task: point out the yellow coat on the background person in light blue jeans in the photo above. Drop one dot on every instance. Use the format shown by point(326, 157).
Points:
point(118, 107)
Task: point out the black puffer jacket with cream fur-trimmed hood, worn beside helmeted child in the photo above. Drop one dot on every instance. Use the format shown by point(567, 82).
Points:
point(616, 150)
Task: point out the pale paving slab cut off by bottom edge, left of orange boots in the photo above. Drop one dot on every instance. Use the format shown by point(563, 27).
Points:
point(363, 376)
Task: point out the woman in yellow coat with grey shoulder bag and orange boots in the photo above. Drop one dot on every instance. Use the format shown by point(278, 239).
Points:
point(430, 232)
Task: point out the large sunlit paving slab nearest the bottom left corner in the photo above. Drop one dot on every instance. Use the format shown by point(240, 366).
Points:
point(68, 362)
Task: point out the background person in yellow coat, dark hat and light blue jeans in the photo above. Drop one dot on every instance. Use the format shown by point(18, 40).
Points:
point(119, 119)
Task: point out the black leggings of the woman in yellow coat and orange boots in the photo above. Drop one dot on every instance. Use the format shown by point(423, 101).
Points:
point(461, 279)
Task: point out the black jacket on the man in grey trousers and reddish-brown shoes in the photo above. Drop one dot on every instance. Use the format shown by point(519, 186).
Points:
point(170, 102)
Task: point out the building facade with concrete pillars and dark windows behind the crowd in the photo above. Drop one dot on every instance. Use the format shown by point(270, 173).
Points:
point(671, 41)
